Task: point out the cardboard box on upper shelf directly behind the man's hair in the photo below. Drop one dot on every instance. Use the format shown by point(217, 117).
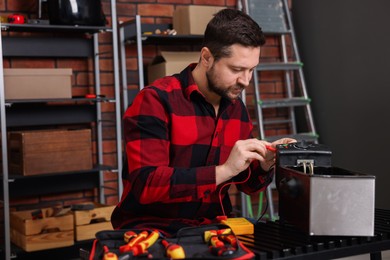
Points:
point(193, 19)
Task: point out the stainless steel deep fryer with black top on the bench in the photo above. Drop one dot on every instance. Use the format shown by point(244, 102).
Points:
point(321, 199)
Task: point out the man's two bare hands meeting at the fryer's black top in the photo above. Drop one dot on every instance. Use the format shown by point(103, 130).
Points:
point(244, 152)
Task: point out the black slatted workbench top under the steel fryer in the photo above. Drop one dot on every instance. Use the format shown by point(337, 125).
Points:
point(277, 240)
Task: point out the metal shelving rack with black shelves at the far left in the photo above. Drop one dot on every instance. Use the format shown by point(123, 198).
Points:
point(53, 47)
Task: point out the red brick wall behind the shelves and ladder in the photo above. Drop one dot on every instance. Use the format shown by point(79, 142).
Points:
point(151, 11)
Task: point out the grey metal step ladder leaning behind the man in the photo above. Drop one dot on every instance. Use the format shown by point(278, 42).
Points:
point(274, 18)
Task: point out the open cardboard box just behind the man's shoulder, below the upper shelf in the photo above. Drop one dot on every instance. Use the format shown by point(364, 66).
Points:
point(168, 63)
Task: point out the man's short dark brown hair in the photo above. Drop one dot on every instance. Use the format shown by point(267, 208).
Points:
point(228, 27)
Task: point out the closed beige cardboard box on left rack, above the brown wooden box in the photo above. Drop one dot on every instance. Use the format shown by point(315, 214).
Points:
point(37, 83)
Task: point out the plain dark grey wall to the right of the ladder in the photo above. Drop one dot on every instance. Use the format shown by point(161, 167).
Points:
point(345, 48)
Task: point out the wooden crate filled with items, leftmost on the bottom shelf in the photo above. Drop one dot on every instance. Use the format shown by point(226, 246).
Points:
point(39, 234)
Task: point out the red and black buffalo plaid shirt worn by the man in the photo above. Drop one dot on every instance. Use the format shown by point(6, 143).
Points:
point(174, 141)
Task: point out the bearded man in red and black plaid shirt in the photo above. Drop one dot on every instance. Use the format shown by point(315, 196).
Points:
point(188, 136)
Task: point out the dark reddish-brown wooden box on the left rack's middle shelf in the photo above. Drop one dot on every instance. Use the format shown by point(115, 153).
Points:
point(49, 151)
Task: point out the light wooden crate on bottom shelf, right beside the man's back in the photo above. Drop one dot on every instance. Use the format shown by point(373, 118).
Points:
point(88, 222)
